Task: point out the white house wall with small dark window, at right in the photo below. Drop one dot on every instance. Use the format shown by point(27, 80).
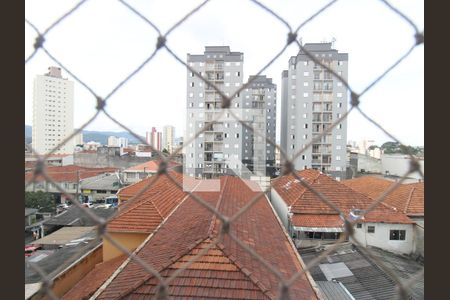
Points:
point(380, 238)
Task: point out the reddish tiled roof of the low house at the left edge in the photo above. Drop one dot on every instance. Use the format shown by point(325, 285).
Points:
point(69, 173)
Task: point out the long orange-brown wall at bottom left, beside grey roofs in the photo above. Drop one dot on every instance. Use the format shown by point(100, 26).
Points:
point(65, 281)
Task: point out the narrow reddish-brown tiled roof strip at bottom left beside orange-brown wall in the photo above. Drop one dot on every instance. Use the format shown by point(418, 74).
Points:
point(95, 278)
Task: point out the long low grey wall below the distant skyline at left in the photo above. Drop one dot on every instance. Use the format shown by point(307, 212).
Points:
point(103, 160)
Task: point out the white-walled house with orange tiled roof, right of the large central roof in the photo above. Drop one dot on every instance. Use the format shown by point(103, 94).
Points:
point(312, 222)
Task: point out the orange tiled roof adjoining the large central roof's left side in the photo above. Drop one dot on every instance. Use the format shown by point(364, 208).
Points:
point(148, 210)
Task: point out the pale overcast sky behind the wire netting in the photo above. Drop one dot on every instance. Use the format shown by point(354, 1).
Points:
point(103, 42)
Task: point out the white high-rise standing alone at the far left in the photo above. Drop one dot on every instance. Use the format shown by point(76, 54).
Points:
point(52, 112)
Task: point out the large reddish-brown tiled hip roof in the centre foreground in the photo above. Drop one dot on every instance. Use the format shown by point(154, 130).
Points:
point(227, 271)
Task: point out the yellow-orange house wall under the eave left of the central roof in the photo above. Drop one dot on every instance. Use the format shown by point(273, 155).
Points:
point(129, 240)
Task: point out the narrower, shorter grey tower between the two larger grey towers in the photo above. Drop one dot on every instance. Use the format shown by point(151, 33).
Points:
point(259, 103)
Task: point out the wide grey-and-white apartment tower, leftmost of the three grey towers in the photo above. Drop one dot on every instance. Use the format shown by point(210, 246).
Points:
point(219, 149)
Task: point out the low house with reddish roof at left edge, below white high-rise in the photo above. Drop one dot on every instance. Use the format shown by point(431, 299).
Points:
point(68, 177)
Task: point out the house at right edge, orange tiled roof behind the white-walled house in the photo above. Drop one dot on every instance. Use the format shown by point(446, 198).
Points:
point(407, 198)
